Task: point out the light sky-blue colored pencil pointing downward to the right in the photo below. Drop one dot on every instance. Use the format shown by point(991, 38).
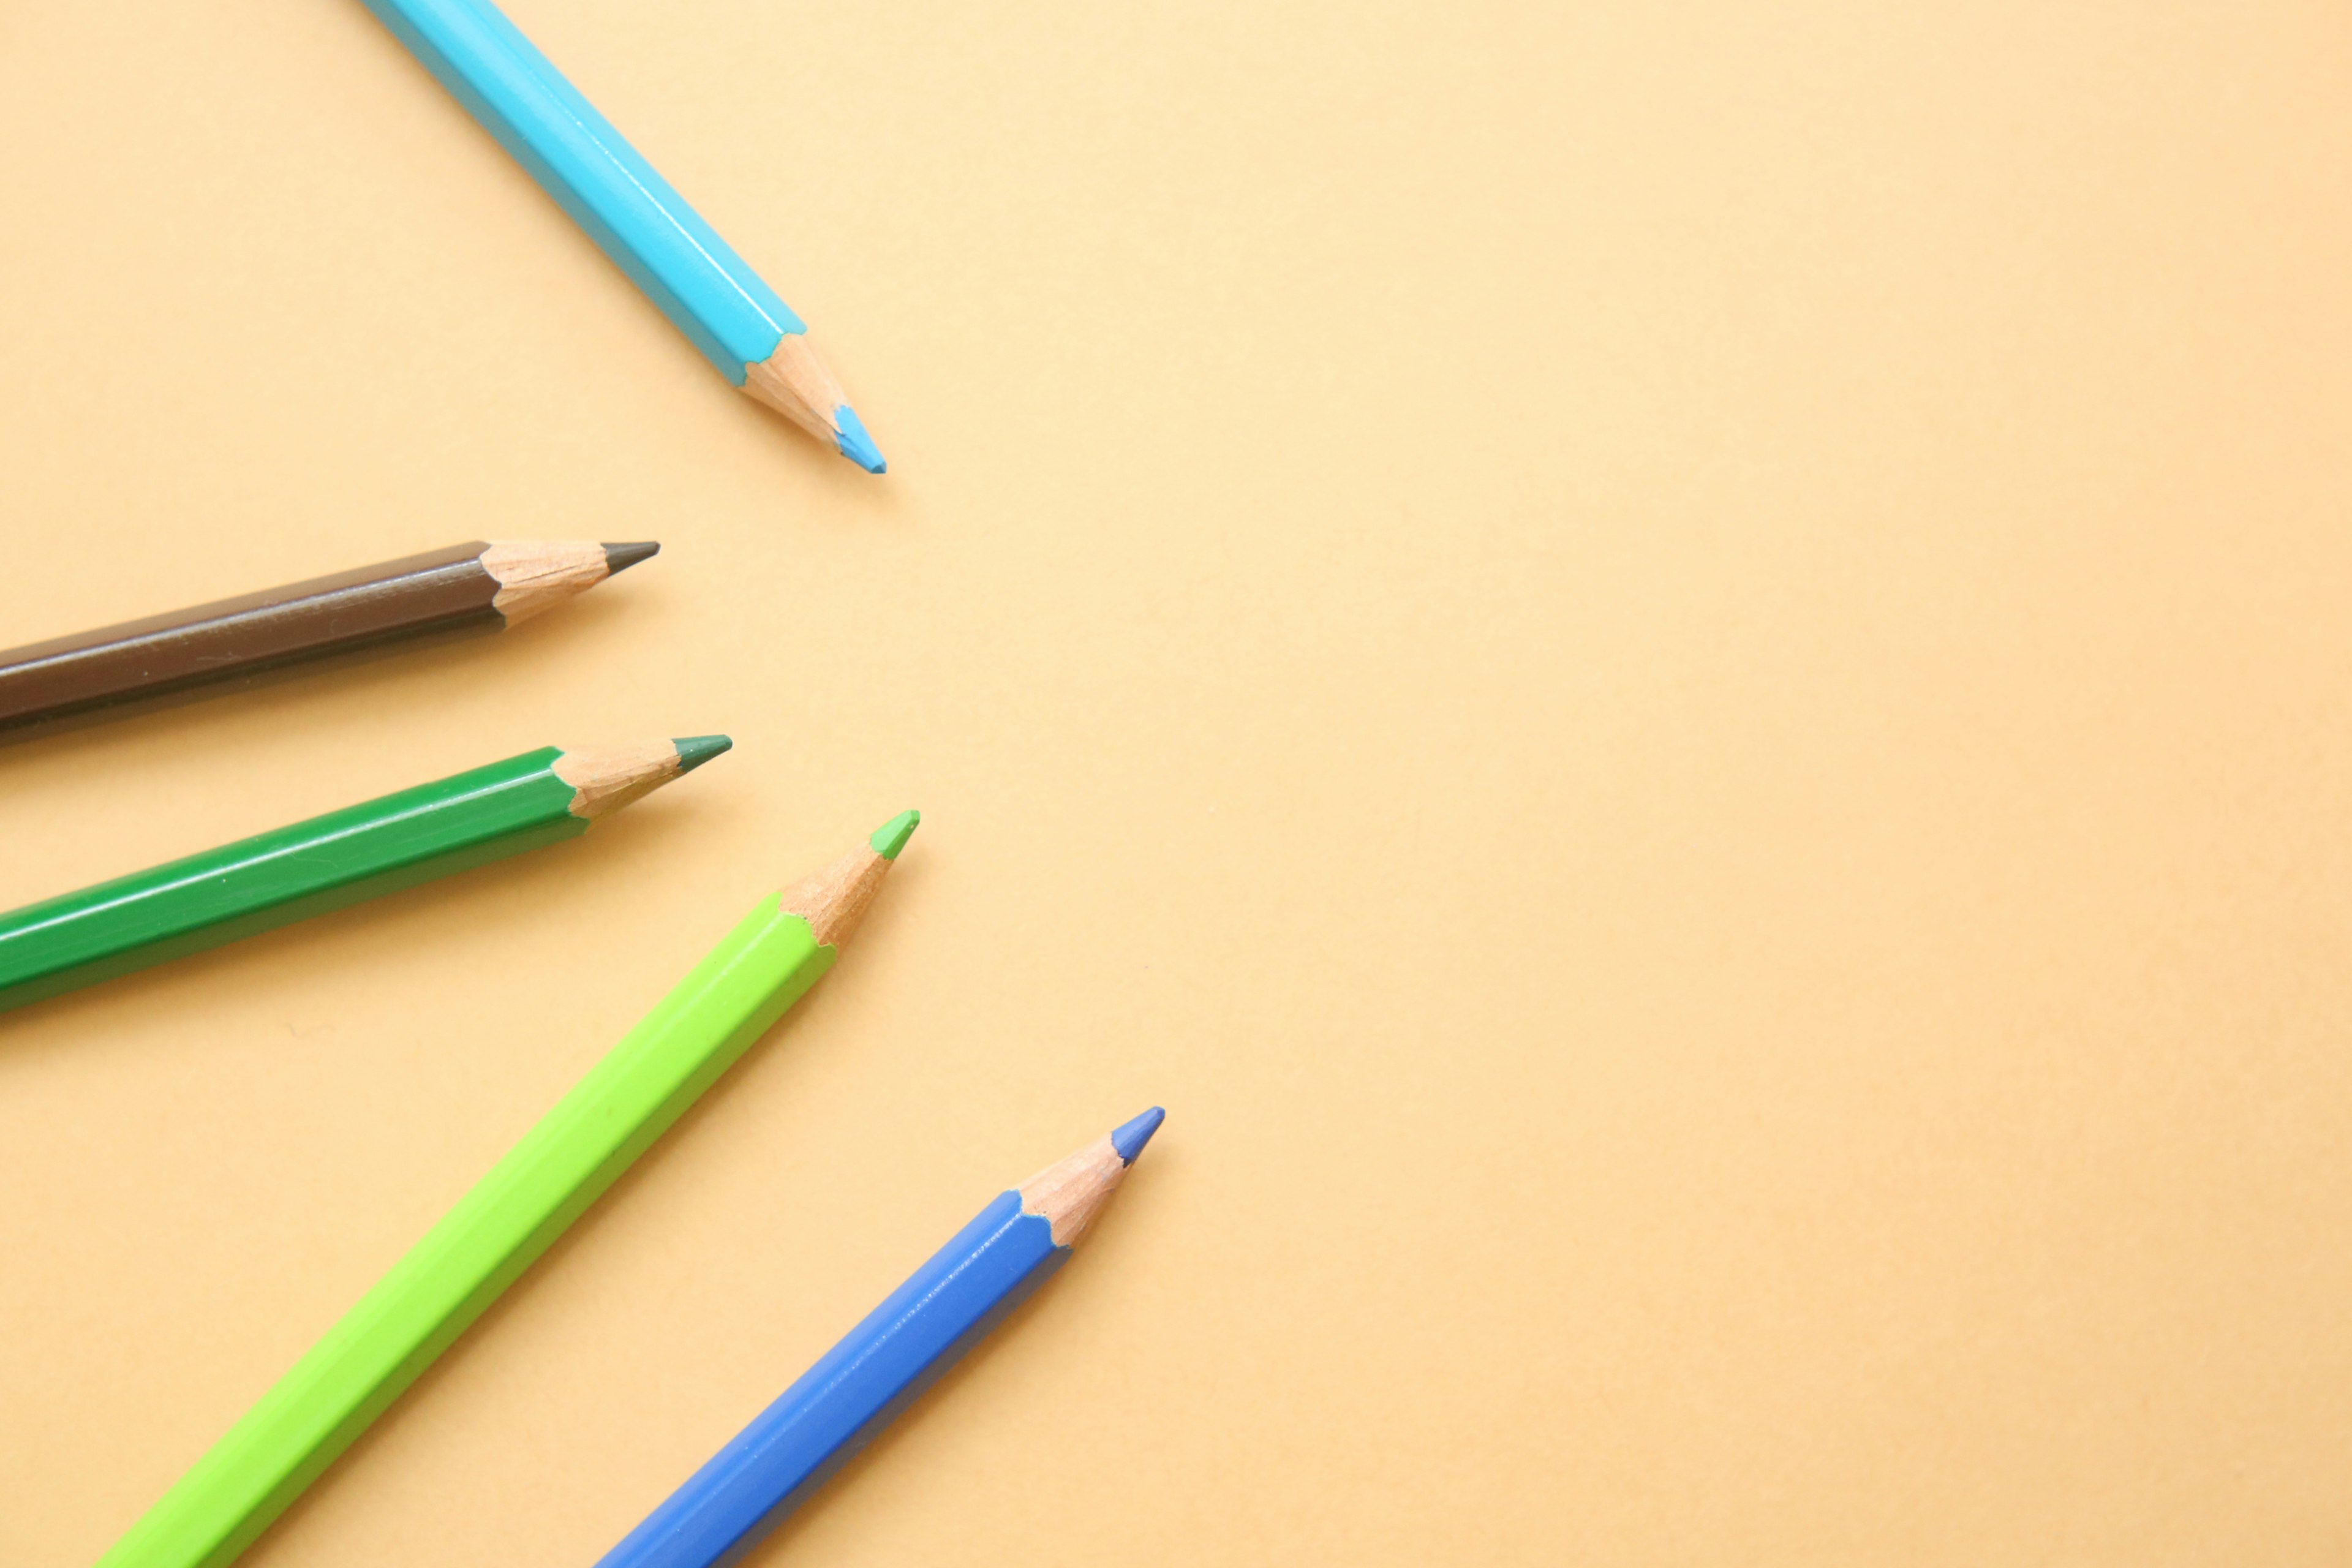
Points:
point(646, 227)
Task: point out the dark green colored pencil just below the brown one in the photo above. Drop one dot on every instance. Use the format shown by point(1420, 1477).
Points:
point(326, 864)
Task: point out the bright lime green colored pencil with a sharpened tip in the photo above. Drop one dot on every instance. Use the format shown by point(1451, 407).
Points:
point(514, 1214)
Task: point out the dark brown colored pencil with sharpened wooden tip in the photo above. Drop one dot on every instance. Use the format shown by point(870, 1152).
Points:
point(476, 587)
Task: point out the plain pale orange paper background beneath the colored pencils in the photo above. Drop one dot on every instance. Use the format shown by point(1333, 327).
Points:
point(1678, 676)
